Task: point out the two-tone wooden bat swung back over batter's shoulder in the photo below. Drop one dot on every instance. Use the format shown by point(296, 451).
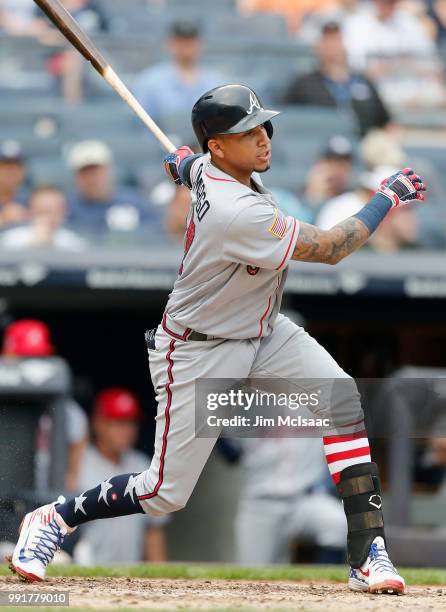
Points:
point(68, 26)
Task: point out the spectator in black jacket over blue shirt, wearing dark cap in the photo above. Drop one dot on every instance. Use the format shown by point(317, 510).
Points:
point(334, 84)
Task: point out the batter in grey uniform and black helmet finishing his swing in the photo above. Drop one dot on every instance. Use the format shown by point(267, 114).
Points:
point(222, 321)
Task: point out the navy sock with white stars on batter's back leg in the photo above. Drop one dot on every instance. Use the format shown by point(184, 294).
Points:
point(115, 496)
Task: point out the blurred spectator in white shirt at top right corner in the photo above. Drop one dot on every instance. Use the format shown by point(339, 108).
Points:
point(392, 46)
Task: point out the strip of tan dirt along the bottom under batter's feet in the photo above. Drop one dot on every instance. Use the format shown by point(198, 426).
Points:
point(181, 595)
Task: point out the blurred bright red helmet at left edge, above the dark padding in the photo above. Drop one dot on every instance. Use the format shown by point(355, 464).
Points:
point(27, 338)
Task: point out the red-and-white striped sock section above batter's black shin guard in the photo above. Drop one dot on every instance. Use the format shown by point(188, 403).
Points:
point(344, 451)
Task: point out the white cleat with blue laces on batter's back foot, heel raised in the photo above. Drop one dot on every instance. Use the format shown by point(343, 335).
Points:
point(40, 536)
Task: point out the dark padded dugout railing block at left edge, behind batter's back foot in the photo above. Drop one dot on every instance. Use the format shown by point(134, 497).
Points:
point(30, 388)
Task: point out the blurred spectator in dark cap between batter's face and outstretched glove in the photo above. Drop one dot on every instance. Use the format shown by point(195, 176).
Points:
point(329, 176)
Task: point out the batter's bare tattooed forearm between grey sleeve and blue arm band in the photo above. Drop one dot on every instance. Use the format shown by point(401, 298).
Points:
point(330, 246)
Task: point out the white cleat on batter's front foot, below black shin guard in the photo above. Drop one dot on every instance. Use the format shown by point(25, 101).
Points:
point(377, 575)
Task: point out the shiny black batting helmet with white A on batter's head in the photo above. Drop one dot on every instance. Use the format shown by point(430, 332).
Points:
point(229, 109)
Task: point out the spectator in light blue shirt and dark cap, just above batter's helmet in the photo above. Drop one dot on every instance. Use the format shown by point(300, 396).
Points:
point(176, 84)
